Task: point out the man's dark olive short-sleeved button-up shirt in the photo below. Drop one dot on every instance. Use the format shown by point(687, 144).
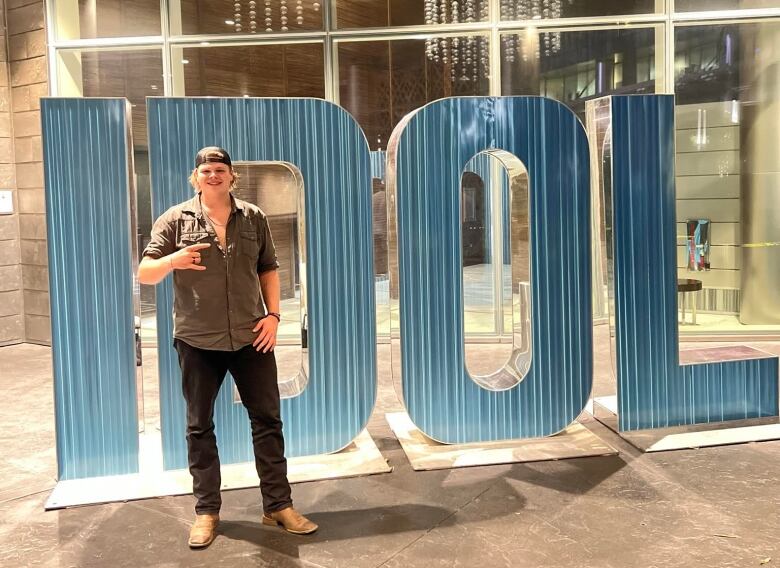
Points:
point(216, 308)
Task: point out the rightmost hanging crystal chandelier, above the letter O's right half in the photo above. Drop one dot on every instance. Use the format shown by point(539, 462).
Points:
point(549, 42)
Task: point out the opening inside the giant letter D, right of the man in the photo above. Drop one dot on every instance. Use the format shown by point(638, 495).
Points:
point(277, 188)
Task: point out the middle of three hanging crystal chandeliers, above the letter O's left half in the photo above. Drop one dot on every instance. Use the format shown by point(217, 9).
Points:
point(467, 57)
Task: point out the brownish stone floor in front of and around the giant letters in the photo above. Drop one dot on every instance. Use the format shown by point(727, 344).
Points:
point(713, 507)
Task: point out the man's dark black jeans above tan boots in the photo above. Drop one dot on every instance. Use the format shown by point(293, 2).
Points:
point(202, 373)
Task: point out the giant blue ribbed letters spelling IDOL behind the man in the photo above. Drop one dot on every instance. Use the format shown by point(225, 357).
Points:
point(95, 405)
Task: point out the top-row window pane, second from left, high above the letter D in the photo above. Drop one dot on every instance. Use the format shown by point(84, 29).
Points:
point(246, 16)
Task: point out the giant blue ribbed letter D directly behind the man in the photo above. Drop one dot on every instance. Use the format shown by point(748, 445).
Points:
point(325, 144)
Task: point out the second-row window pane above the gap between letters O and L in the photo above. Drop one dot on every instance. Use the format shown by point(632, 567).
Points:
point(575, 66)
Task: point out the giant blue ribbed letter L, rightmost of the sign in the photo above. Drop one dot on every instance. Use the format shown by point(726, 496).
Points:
point(654, 390)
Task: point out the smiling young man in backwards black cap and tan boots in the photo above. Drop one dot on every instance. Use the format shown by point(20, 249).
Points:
point(220, 252)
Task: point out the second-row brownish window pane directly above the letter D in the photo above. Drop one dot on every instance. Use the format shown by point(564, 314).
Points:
point(256, 71)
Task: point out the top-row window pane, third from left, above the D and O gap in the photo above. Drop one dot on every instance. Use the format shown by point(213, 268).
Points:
point(384, 13)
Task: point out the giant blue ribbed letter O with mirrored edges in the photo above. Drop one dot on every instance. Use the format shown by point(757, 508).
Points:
point(427, 155)
